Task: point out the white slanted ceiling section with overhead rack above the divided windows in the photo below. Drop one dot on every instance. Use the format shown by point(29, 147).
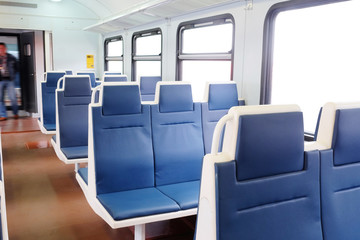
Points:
point(118, 15)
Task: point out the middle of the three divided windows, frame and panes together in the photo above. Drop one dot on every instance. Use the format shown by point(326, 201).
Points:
point(147, 54)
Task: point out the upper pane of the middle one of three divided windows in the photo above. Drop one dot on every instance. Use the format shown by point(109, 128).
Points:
point(149, 45)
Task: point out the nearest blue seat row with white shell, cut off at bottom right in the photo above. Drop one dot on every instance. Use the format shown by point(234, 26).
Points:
point(263, 185)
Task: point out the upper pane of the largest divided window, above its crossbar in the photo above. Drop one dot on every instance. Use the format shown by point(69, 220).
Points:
point(211, 39)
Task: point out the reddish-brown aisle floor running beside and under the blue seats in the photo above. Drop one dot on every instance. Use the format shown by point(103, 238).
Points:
point(44, 200)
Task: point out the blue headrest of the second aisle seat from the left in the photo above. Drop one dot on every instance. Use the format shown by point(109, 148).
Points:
point(75, 86)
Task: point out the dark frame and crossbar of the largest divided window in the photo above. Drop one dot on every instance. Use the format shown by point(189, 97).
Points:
point(198, 23)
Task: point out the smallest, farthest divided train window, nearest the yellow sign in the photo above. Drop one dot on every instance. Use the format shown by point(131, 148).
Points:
point(114, 54)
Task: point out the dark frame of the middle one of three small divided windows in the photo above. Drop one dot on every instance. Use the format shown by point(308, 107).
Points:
point(135, 57)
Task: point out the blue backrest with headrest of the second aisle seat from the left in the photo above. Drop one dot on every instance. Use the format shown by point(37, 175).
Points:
point(73, 101)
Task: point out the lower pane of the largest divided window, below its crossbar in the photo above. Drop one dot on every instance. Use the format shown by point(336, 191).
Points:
point(200, 72)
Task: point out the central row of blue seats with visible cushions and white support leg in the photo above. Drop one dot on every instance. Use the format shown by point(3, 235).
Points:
point(145, 159)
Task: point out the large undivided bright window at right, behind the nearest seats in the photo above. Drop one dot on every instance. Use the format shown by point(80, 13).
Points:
point(314, 58)
